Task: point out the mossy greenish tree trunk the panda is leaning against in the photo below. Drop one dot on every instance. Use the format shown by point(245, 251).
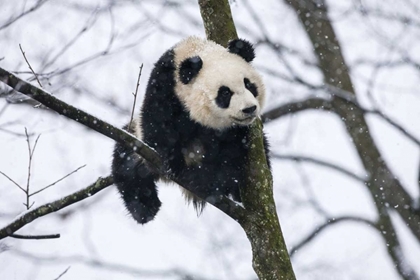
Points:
point(260, 222)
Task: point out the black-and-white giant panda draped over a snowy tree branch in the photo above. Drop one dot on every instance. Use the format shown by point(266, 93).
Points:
point(199, 103)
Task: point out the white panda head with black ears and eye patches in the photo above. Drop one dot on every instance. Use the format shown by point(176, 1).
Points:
point(218, 86)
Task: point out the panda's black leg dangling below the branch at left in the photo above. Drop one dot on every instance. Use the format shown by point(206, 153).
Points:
point(136, 184)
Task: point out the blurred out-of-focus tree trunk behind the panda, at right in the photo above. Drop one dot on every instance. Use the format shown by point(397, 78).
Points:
point(386, 191)
